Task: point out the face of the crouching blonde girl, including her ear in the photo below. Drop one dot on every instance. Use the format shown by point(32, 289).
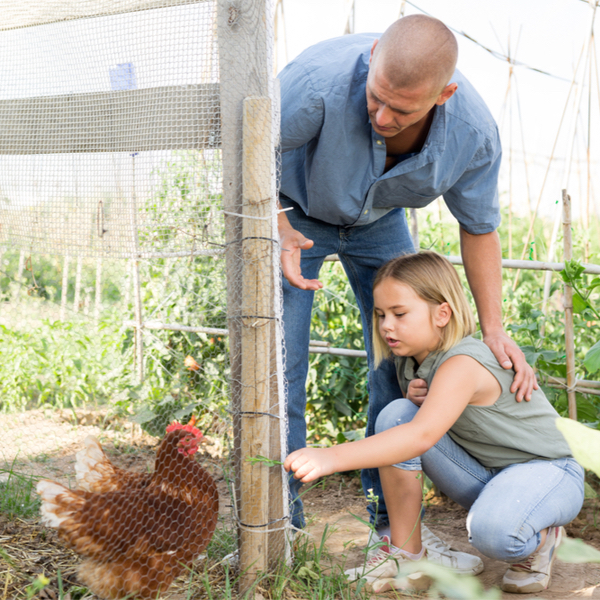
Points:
point(409, 325)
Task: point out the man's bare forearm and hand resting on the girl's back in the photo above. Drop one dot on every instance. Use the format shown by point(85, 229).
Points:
point(482, 260)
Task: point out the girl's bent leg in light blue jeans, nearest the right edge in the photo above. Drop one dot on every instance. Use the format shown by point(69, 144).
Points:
point(507, 520)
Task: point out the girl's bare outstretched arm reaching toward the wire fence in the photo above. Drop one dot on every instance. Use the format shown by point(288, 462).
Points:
point(456, 382)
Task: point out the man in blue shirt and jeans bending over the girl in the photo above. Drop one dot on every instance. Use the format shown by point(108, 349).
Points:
point(368, 128)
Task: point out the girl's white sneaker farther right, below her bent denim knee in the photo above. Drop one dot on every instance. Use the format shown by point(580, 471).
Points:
point(533, 574)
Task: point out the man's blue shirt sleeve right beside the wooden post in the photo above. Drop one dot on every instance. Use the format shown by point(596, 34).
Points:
point(301, 108)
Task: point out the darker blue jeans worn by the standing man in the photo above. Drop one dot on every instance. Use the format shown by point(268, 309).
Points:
point(362, 250)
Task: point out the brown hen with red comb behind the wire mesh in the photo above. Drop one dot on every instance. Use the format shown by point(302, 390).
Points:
point(139, 532)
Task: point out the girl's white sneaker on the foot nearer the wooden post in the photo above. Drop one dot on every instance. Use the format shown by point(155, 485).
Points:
point(381, 572)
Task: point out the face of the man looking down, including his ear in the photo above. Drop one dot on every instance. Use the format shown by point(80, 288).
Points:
point(391, 111)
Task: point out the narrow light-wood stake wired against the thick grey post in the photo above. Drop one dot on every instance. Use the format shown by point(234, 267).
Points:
point(255, 341)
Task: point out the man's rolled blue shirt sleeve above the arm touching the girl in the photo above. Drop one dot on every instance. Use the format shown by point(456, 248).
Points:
point(473, 199)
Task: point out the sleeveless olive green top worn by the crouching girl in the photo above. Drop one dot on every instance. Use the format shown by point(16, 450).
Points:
point(504, 433)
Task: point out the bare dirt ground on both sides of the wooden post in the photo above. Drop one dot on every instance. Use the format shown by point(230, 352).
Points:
point(44, 444)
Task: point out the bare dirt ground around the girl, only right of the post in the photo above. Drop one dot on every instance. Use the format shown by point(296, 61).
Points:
point(334, 503)
